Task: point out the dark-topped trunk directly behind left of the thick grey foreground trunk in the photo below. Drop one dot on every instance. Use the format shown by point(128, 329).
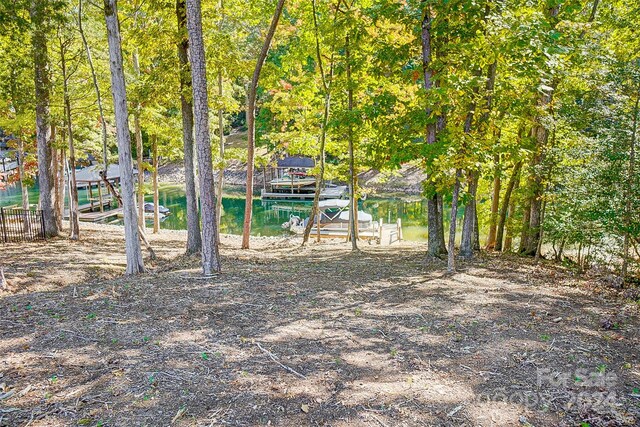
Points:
point(194, 238)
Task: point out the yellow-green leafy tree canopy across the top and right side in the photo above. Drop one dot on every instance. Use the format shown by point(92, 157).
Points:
point(523, 112)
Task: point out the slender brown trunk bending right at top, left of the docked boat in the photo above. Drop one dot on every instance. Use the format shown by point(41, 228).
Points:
point(251, 123)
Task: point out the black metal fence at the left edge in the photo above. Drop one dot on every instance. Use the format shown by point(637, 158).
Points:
point(18, 225)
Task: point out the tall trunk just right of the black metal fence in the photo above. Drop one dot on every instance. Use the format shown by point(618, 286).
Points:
point(43, 129)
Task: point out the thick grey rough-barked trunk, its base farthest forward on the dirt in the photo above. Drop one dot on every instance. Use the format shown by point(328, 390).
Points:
point(210, 255)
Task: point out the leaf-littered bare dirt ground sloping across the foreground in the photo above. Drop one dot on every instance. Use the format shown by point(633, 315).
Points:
point(316, 336)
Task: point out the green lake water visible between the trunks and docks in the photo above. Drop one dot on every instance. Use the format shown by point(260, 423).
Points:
point(267, 216)
